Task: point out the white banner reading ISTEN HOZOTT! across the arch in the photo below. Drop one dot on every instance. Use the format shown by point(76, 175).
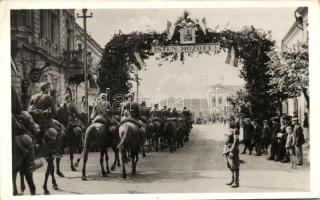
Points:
point(213, 47)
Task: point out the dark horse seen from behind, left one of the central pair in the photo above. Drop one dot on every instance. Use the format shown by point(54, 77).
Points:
point(101, 134)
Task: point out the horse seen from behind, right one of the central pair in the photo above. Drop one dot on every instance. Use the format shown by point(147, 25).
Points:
point(130, 140)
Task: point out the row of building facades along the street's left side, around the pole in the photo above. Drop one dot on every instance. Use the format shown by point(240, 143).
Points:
point(44, 41)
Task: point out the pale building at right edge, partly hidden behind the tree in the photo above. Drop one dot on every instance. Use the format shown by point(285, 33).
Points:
point(297, 34)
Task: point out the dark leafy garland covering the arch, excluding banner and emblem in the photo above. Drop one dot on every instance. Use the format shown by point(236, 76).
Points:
point(250, 45)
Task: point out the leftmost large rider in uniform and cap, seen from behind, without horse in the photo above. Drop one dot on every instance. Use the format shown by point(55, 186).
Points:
point(43, 107)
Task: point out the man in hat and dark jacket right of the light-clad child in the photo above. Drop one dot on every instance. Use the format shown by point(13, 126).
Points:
point(299, 139)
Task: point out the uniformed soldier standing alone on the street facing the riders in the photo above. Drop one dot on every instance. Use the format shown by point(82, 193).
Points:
point(231, 152)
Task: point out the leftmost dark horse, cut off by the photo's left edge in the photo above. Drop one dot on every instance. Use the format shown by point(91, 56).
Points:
point(22, 161)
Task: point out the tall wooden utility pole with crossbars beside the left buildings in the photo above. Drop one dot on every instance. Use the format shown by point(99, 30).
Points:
point(85, 16)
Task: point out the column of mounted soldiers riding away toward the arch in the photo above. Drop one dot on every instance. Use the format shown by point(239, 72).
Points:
point(44, 129)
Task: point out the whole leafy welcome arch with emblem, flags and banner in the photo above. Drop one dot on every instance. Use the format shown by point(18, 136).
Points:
point(248, 48)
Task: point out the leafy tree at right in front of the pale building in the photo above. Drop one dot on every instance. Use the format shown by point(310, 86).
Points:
point(289, 73)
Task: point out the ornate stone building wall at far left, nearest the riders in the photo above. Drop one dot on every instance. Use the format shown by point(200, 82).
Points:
point(39, 37)
